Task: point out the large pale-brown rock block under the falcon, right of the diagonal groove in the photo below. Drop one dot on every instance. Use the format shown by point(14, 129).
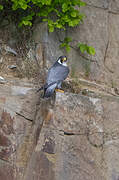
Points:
point(77, 141)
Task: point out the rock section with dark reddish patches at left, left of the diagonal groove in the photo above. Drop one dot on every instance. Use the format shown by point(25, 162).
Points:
point(13, 99)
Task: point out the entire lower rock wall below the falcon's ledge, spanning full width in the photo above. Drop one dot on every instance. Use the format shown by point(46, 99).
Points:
point(73, 137)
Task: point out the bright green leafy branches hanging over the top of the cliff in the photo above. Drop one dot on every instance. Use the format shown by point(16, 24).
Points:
point(57, 13)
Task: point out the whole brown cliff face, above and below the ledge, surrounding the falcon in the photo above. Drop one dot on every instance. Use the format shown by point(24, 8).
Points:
point(69, 136)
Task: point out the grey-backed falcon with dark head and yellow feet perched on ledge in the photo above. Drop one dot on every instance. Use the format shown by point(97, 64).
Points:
point(57, 73)
